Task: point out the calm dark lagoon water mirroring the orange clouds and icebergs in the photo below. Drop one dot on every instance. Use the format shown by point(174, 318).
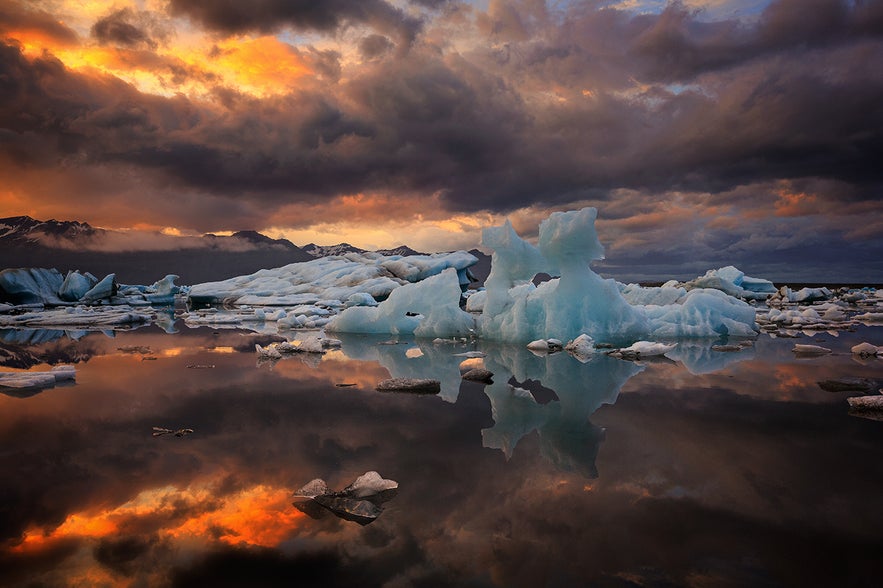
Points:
point(719, 469)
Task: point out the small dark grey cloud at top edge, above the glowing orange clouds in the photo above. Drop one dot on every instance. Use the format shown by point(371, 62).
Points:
point(271, 15)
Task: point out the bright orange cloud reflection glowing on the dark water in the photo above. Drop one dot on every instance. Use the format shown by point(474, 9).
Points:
point(261, 515)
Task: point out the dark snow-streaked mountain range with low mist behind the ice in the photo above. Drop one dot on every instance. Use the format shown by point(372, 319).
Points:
point(143, 258)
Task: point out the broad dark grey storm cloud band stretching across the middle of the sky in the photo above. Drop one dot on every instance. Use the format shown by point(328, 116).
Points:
point(478, 130)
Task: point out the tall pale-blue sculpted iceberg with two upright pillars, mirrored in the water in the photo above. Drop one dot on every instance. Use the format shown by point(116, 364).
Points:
point(578, 302)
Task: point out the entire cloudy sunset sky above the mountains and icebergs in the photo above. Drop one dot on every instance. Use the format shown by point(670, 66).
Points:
point(706, 132)
